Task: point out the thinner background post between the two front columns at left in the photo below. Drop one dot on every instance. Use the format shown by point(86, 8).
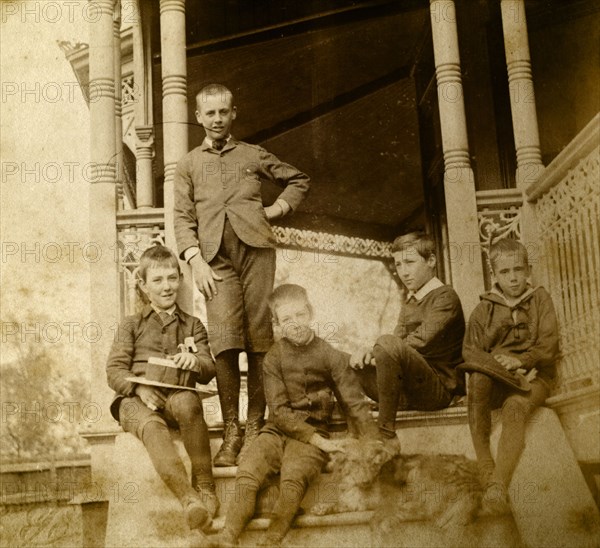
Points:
point(143, 110)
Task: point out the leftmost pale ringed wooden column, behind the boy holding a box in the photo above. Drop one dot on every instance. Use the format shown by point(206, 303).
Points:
point(104, 286)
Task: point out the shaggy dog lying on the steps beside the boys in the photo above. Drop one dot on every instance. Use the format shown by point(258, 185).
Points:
point(441, 489)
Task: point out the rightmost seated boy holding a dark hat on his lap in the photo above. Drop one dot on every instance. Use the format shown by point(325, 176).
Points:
point(512, 331)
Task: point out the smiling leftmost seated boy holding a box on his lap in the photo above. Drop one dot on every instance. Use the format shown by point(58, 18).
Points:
point(148, 411)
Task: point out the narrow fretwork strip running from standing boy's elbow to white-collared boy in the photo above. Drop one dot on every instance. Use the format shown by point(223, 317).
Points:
point(331, 243)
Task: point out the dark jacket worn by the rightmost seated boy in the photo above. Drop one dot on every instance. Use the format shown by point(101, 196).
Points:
point(527, 329)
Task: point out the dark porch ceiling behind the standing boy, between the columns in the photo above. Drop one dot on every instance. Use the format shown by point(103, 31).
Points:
point(331, 94)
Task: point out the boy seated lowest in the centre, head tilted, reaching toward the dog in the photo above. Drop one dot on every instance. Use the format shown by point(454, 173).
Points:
point(302, 374)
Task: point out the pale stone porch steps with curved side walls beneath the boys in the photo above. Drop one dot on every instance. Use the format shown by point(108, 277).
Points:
point(551, 503)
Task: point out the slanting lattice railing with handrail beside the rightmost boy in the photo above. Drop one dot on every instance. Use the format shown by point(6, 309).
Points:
point(567, 206)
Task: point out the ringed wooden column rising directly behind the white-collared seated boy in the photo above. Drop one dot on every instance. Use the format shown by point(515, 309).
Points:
point(459, 185)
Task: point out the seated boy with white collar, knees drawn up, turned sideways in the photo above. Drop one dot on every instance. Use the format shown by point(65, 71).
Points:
point(415, 367)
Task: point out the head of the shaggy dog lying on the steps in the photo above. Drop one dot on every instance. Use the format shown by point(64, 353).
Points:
point(361, 461)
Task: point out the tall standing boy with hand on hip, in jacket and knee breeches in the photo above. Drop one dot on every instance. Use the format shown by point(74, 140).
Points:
point(223, 232)
